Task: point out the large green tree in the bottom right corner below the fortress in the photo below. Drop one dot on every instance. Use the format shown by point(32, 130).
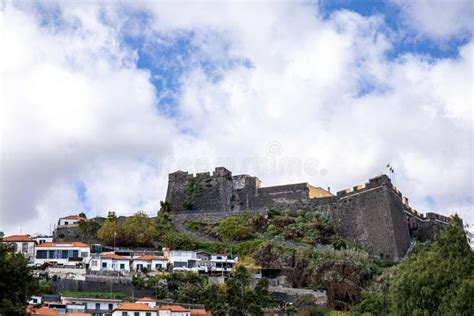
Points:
point(436, 280)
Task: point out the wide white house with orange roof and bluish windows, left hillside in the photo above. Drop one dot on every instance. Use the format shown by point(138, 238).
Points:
point(65, 253)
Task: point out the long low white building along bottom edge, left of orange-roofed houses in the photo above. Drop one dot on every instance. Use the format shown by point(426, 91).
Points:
point(97, 306)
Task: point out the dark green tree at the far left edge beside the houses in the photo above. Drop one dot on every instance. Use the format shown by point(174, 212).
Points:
point(17, 283)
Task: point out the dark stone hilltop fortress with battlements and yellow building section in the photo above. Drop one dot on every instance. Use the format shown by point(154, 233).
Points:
point(375, 215)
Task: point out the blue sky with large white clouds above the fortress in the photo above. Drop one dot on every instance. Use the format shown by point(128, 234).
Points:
point(100, 101)
